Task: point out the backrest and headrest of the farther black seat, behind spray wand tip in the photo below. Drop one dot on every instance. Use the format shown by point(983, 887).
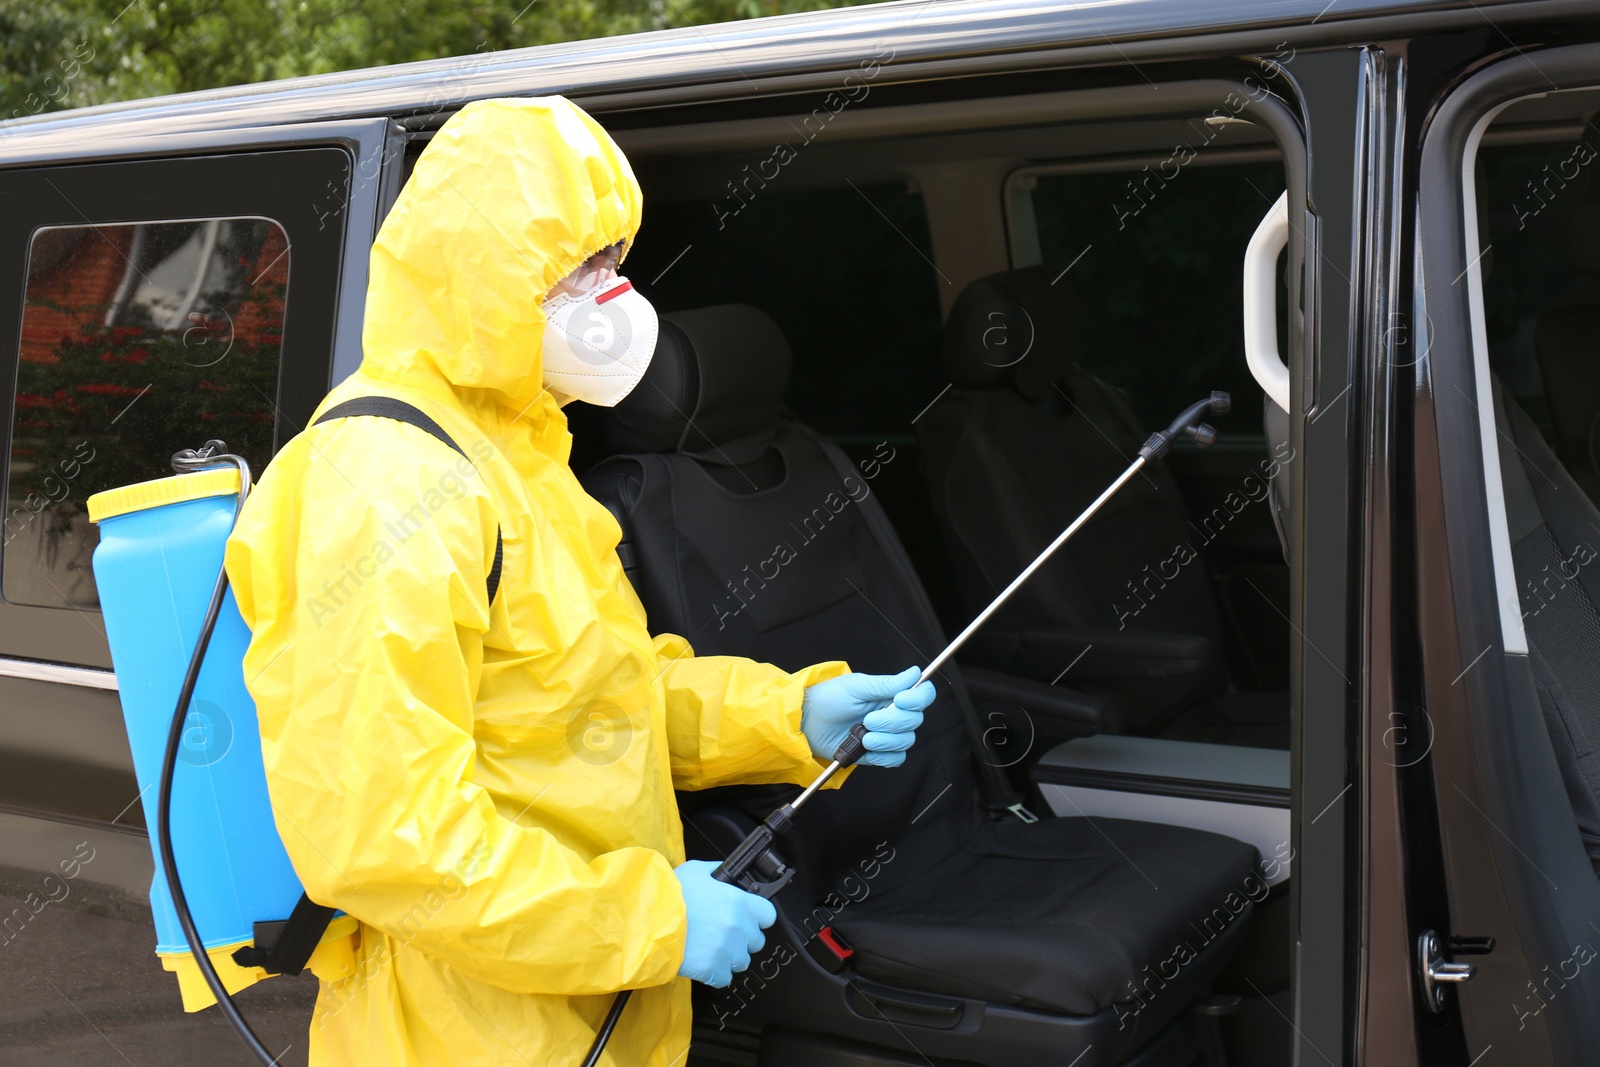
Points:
point(1023, 444)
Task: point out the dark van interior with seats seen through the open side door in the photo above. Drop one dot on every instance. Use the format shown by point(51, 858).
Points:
point(894, 366)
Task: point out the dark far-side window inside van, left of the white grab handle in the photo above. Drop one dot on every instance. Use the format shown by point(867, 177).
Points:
point(1161, 273)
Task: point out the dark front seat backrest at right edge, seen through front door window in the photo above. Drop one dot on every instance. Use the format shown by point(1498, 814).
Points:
point(1556, 553)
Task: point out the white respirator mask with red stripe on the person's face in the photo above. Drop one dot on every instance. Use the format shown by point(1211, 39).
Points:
point(599, 334)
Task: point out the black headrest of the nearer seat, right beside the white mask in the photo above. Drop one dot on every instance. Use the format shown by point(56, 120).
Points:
point(714, 388)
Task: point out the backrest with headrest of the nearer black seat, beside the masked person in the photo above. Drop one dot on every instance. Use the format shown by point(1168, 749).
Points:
point(743, 535)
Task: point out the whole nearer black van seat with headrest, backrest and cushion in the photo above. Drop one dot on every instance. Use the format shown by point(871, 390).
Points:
point(977, 937)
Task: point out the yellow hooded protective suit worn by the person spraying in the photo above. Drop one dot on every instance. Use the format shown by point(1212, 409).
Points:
point(486, 786)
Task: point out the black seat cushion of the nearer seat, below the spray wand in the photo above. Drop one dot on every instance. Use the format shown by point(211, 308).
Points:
point(1068, 916)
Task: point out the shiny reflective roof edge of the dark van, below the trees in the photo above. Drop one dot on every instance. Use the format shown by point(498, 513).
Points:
point(761, 57)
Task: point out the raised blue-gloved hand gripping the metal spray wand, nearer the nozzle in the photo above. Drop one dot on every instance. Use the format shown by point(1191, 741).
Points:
point(890, 711)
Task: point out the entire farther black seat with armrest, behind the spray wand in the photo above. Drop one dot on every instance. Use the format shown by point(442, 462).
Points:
point(1017, 450)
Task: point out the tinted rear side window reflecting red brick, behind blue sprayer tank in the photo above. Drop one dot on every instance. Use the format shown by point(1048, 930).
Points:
point(135, 340)
